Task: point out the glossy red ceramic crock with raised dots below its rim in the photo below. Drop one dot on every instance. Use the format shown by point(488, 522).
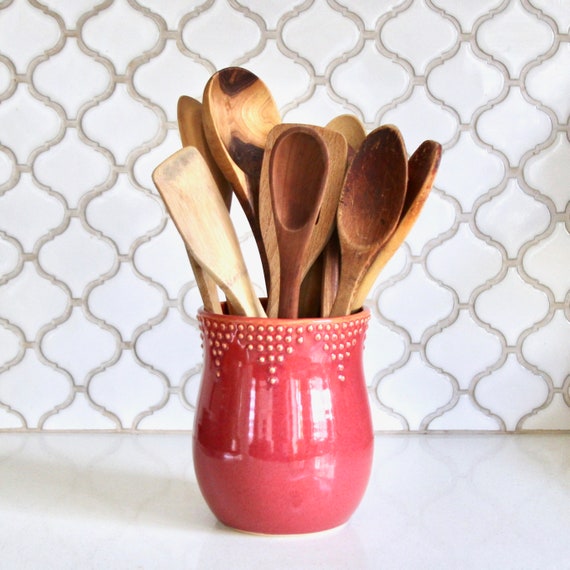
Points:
point(283, 437)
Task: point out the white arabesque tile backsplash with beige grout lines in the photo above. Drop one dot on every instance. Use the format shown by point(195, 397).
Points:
point(471, 318)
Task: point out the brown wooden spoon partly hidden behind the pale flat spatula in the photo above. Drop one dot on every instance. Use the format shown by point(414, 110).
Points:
point(191, 131)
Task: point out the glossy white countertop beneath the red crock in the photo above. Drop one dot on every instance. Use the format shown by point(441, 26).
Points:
point(109, 501)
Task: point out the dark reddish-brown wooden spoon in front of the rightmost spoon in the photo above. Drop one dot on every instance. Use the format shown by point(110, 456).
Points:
point(369, 209)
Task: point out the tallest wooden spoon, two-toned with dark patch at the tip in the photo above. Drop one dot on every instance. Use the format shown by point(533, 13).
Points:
point(239, 113)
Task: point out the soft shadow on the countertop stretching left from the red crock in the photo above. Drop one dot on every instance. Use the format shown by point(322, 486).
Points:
point(47, 488)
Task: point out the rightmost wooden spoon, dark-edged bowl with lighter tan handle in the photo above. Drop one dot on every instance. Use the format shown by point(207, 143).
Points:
point(422, 169)
